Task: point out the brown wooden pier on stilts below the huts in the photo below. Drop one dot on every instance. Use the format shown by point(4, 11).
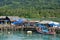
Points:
point(16, 28)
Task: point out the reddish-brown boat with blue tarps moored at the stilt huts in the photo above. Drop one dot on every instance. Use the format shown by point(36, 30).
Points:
point(44, 29)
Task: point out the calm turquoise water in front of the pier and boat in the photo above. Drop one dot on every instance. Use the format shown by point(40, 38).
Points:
point(24, 36)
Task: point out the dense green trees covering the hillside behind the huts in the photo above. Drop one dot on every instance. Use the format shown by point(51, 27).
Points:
point(30, 8)
